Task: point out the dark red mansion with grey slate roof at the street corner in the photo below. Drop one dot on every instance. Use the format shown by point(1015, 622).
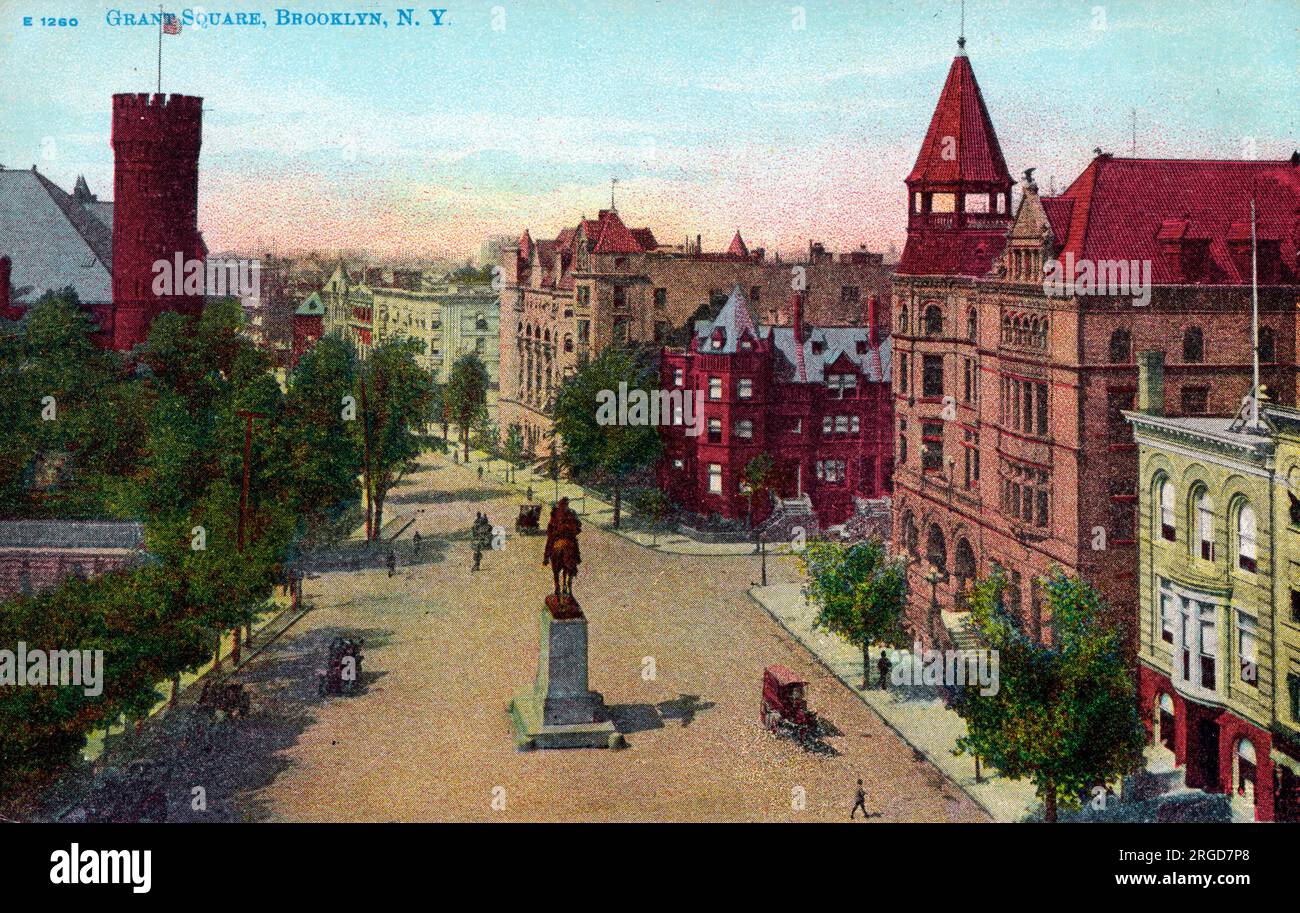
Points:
point(814, 399)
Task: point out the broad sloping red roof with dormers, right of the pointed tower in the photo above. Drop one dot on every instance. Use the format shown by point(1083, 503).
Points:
point(1128, 209)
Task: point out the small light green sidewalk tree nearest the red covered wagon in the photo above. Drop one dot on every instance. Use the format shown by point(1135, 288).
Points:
point(861, 594)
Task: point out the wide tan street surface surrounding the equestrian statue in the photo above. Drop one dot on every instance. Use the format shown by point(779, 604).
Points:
point(445, 650)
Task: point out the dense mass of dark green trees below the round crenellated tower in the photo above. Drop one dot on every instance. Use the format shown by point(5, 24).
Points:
point(167, 444)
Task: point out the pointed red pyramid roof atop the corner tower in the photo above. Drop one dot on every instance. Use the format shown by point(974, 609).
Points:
point(961, 115)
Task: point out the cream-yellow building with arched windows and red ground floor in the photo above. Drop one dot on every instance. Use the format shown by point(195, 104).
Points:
point(1219, 613)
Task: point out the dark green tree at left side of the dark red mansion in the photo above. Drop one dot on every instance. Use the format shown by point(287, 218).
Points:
point(593, 444)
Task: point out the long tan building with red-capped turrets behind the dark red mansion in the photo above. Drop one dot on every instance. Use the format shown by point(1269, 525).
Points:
point(601, 283)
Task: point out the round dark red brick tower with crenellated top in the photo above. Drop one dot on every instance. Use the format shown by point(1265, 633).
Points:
point(155, 206)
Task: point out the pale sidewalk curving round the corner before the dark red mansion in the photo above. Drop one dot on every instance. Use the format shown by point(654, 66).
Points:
point(595, 509)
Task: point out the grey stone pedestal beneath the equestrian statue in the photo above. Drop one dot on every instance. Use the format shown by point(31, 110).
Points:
point(561, 712)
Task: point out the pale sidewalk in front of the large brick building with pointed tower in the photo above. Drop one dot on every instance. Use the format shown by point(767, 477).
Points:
point(921, 720)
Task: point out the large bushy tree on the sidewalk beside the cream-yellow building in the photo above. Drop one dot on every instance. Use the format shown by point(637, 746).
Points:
point(1064, 716)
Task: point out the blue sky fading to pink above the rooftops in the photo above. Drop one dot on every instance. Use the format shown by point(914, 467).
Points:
point(790, 122)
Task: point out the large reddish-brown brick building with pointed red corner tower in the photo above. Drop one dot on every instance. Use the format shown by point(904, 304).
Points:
point(1012, 449)
